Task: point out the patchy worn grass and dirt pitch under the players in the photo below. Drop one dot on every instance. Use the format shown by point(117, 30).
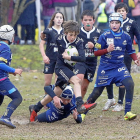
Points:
point(98, 125)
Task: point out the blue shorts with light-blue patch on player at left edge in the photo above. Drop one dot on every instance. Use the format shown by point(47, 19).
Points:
point(6, 87)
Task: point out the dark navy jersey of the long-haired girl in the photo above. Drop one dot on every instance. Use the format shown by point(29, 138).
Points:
point(51, 49)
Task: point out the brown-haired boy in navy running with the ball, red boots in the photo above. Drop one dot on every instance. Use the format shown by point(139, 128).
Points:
point(64, 68)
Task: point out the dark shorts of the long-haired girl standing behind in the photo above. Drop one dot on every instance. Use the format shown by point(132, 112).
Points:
point(49, 68)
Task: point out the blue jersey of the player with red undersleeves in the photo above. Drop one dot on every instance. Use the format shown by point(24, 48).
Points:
point(122, 42)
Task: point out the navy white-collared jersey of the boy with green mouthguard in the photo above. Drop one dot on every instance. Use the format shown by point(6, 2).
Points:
point(89, 36)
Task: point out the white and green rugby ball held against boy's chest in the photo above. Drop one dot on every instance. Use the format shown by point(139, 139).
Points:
point(72, 51)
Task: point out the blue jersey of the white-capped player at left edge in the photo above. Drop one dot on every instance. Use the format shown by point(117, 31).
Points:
point(5, 57)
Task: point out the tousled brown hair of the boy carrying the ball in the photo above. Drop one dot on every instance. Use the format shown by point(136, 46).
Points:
point(71, 26)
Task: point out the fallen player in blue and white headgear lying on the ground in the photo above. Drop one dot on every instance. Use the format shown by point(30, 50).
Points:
point(53, 114)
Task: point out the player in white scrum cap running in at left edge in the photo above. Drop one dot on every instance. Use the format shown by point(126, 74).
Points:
point(6, 87)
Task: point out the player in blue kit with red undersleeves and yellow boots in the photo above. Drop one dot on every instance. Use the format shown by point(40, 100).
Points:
point(111, 46)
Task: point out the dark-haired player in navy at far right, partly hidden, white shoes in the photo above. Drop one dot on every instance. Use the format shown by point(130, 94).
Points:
point(131, 27)
